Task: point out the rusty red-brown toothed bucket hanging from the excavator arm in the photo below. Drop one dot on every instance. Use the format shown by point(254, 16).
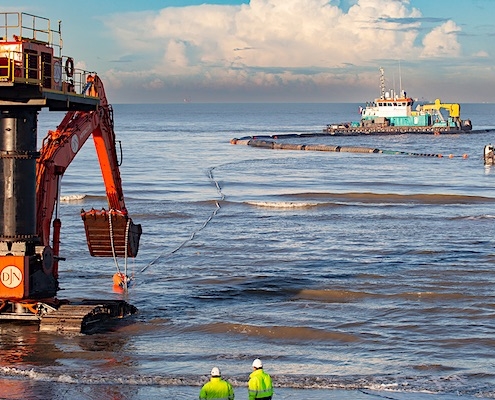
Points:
point(111, 233)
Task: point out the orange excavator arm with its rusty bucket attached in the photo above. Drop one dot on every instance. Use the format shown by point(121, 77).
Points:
point(108, 232)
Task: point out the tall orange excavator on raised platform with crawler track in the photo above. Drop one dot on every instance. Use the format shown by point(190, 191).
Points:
point(32, 76)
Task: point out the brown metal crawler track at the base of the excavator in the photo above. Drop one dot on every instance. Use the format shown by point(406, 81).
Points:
point(87, 317)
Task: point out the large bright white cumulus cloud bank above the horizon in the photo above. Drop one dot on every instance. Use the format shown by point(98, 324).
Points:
point(272, 43)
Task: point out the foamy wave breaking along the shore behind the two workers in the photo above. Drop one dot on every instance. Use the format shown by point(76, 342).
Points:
point(374, 386)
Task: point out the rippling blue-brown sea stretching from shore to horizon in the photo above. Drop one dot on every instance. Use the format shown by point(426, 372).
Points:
point(350, 275)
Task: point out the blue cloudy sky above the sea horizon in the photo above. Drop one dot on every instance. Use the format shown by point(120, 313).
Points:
point(162, 51)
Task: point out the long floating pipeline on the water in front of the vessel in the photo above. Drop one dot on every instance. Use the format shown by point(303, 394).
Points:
point(257, 142)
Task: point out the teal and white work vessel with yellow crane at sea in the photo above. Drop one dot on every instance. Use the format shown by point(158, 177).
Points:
point(393, 113)
